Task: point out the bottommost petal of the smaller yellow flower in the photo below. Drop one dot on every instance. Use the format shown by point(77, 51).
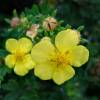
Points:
point(20, 69)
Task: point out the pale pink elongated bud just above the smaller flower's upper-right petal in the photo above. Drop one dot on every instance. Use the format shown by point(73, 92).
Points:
point(32, 32)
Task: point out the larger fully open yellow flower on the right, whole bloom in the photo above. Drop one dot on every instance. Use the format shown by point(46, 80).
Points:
point(55, 61)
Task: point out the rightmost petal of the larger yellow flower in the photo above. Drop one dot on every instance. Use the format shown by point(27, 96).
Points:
point(79, 56)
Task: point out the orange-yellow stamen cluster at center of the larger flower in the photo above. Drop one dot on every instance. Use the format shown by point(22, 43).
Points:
point(61, 59)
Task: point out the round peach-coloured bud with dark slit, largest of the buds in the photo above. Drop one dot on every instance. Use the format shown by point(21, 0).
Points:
point(50, 23)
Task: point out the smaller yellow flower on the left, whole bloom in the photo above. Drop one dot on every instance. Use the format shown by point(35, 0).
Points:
point(20, 59)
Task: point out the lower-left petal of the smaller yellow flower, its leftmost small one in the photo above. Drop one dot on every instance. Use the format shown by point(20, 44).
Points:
point(10, 61)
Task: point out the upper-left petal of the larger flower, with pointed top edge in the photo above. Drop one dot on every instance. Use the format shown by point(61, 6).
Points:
point(43, 50)
